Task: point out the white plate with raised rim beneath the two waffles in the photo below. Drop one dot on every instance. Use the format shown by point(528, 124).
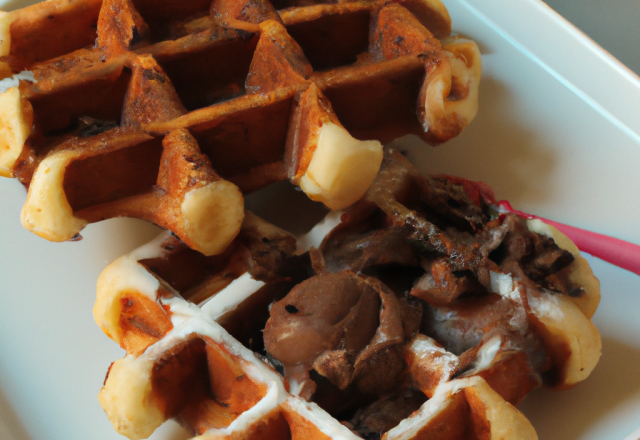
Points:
point(558, 134)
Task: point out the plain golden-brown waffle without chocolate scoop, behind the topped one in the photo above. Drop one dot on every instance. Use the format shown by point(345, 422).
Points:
point(170, 111)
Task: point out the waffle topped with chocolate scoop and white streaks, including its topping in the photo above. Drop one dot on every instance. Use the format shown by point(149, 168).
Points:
point(418, 312)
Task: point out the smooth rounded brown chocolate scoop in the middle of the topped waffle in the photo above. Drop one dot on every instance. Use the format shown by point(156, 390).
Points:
point(344, 326)
